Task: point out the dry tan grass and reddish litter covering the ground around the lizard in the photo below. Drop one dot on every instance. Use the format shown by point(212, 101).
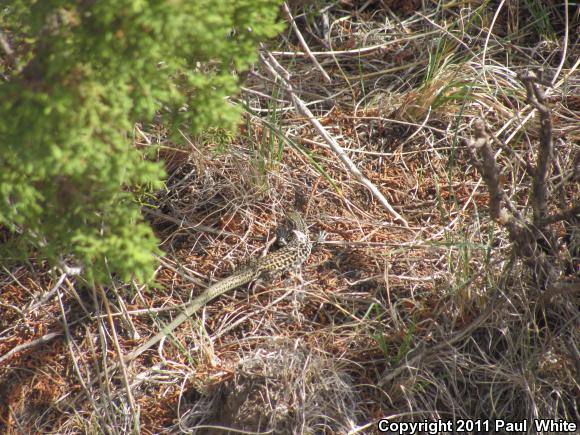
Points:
point(435, 321)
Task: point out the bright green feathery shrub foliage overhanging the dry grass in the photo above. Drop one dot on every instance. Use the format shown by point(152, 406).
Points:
point(78, 75)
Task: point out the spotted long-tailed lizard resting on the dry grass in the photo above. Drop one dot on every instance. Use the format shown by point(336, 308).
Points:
point(290, 256)
